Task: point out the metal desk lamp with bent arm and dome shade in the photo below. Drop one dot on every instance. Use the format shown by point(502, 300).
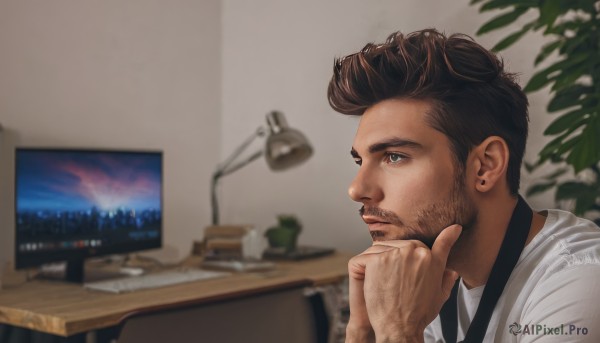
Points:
point(285, 148)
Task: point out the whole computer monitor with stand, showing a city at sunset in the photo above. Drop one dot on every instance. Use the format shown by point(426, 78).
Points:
point(71, 204)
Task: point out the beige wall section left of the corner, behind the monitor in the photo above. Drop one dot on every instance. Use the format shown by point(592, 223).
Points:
point(140, 74)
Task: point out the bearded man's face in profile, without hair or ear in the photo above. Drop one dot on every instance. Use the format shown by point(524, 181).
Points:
point(408, 182)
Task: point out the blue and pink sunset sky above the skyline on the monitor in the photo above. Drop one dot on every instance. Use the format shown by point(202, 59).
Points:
point(72, 180)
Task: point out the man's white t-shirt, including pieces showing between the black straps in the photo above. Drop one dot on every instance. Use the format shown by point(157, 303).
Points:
point(552, 295)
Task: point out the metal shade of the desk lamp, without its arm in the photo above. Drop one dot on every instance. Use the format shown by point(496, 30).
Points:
point(285, 147)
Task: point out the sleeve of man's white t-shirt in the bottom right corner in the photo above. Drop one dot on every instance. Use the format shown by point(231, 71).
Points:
point(564, 307)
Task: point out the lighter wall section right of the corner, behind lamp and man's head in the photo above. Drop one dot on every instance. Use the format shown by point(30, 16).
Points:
point(279, 55)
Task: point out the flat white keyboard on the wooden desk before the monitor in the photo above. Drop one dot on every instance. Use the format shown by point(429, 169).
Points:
point(154, 280)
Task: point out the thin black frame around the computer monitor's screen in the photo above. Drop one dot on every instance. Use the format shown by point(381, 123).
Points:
point(36, 259)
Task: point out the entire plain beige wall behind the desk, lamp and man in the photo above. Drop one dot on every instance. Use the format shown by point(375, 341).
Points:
point(196, 77)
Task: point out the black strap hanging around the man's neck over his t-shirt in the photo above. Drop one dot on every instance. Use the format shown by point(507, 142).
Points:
point(510, 250)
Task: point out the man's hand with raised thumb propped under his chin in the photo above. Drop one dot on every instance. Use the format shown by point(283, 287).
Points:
point(405, 284)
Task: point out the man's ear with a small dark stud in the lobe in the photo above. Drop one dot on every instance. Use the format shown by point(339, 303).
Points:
point(490, 160)
